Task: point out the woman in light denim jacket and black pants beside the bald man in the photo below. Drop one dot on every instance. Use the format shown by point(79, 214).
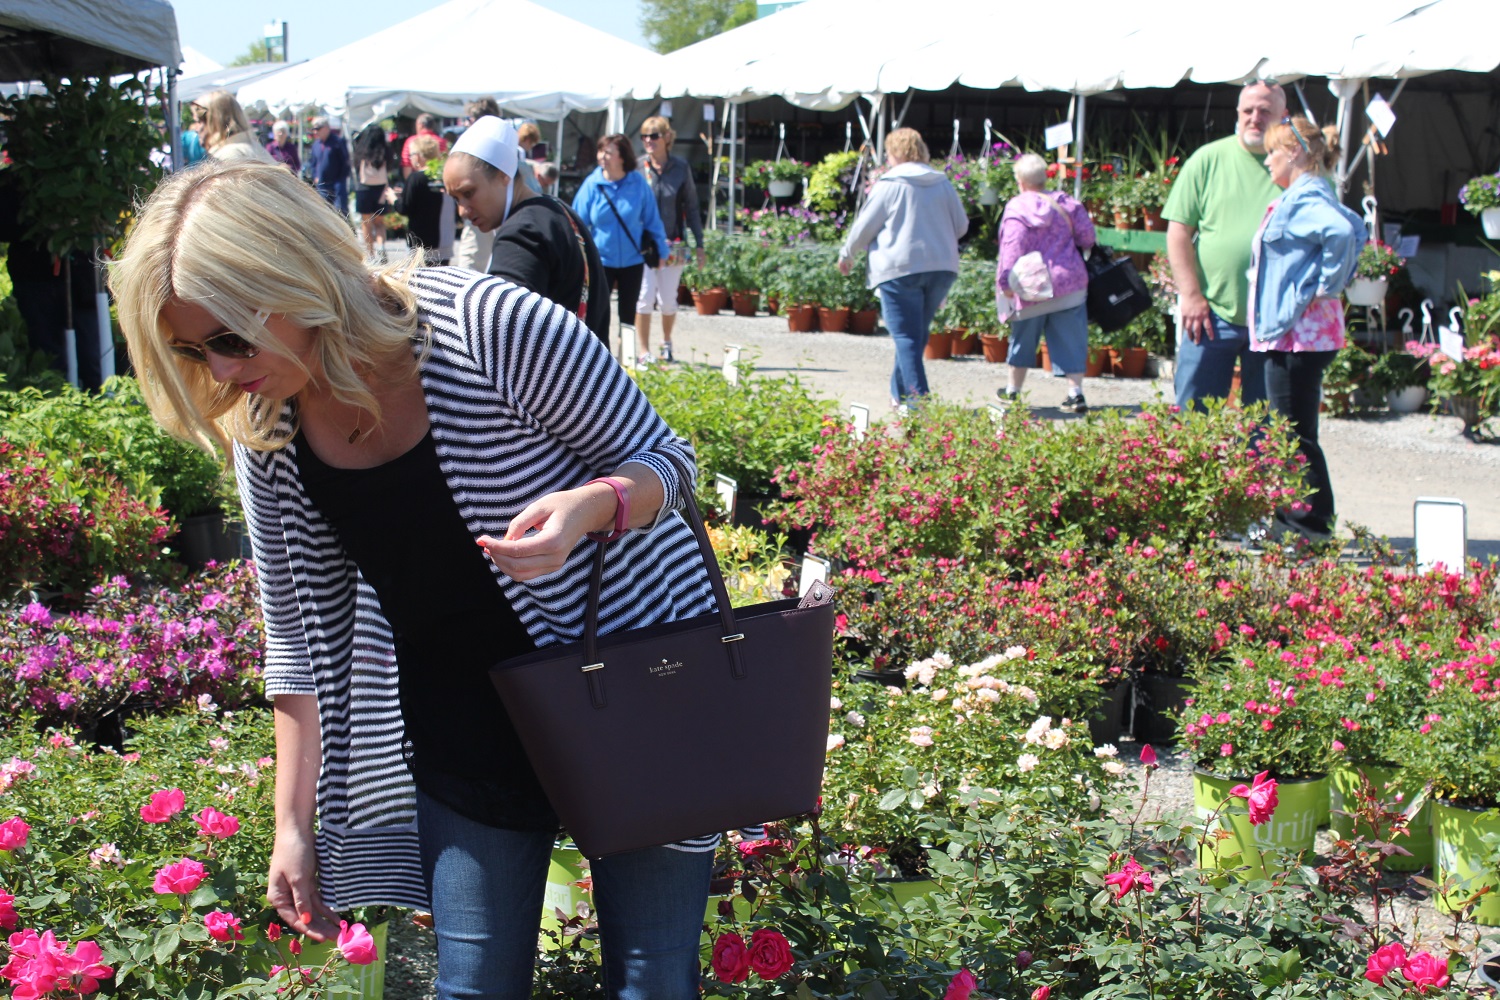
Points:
point(1303, 259)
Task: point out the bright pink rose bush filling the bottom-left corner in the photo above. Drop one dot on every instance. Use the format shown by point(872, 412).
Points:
point(143, 875)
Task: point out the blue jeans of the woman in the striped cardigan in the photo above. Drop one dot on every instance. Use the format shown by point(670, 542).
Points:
point(487, 890)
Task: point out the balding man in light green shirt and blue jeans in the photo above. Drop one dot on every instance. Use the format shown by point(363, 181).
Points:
point(1213, 214)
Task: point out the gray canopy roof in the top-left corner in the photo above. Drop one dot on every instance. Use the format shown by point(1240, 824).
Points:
point(85, 38)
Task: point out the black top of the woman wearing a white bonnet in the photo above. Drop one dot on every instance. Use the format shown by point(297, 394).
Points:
point(538, 248)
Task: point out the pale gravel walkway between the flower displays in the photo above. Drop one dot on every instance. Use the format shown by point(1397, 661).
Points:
point(1379, 466)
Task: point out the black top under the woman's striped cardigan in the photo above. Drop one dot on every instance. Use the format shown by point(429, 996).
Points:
point(452, 623)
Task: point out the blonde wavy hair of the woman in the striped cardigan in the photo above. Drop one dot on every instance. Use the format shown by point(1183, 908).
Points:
point(239, 239)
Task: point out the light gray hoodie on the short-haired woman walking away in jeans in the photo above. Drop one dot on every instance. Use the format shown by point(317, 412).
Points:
point(911, 224)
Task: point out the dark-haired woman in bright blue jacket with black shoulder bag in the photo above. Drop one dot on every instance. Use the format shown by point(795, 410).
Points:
point(620, 209)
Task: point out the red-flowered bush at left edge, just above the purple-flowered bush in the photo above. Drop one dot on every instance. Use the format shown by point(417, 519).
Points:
point(64, 528)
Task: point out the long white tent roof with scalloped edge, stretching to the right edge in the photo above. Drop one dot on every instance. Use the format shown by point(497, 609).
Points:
point(1145, 44)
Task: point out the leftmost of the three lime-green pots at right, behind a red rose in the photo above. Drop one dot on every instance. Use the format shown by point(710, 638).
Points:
point(1292, 827)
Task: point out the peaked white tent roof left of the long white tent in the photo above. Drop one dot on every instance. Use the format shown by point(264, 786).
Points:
point(460, 52)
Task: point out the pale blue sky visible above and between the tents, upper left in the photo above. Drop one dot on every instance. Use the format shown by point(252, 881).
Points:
point(223, 31)
